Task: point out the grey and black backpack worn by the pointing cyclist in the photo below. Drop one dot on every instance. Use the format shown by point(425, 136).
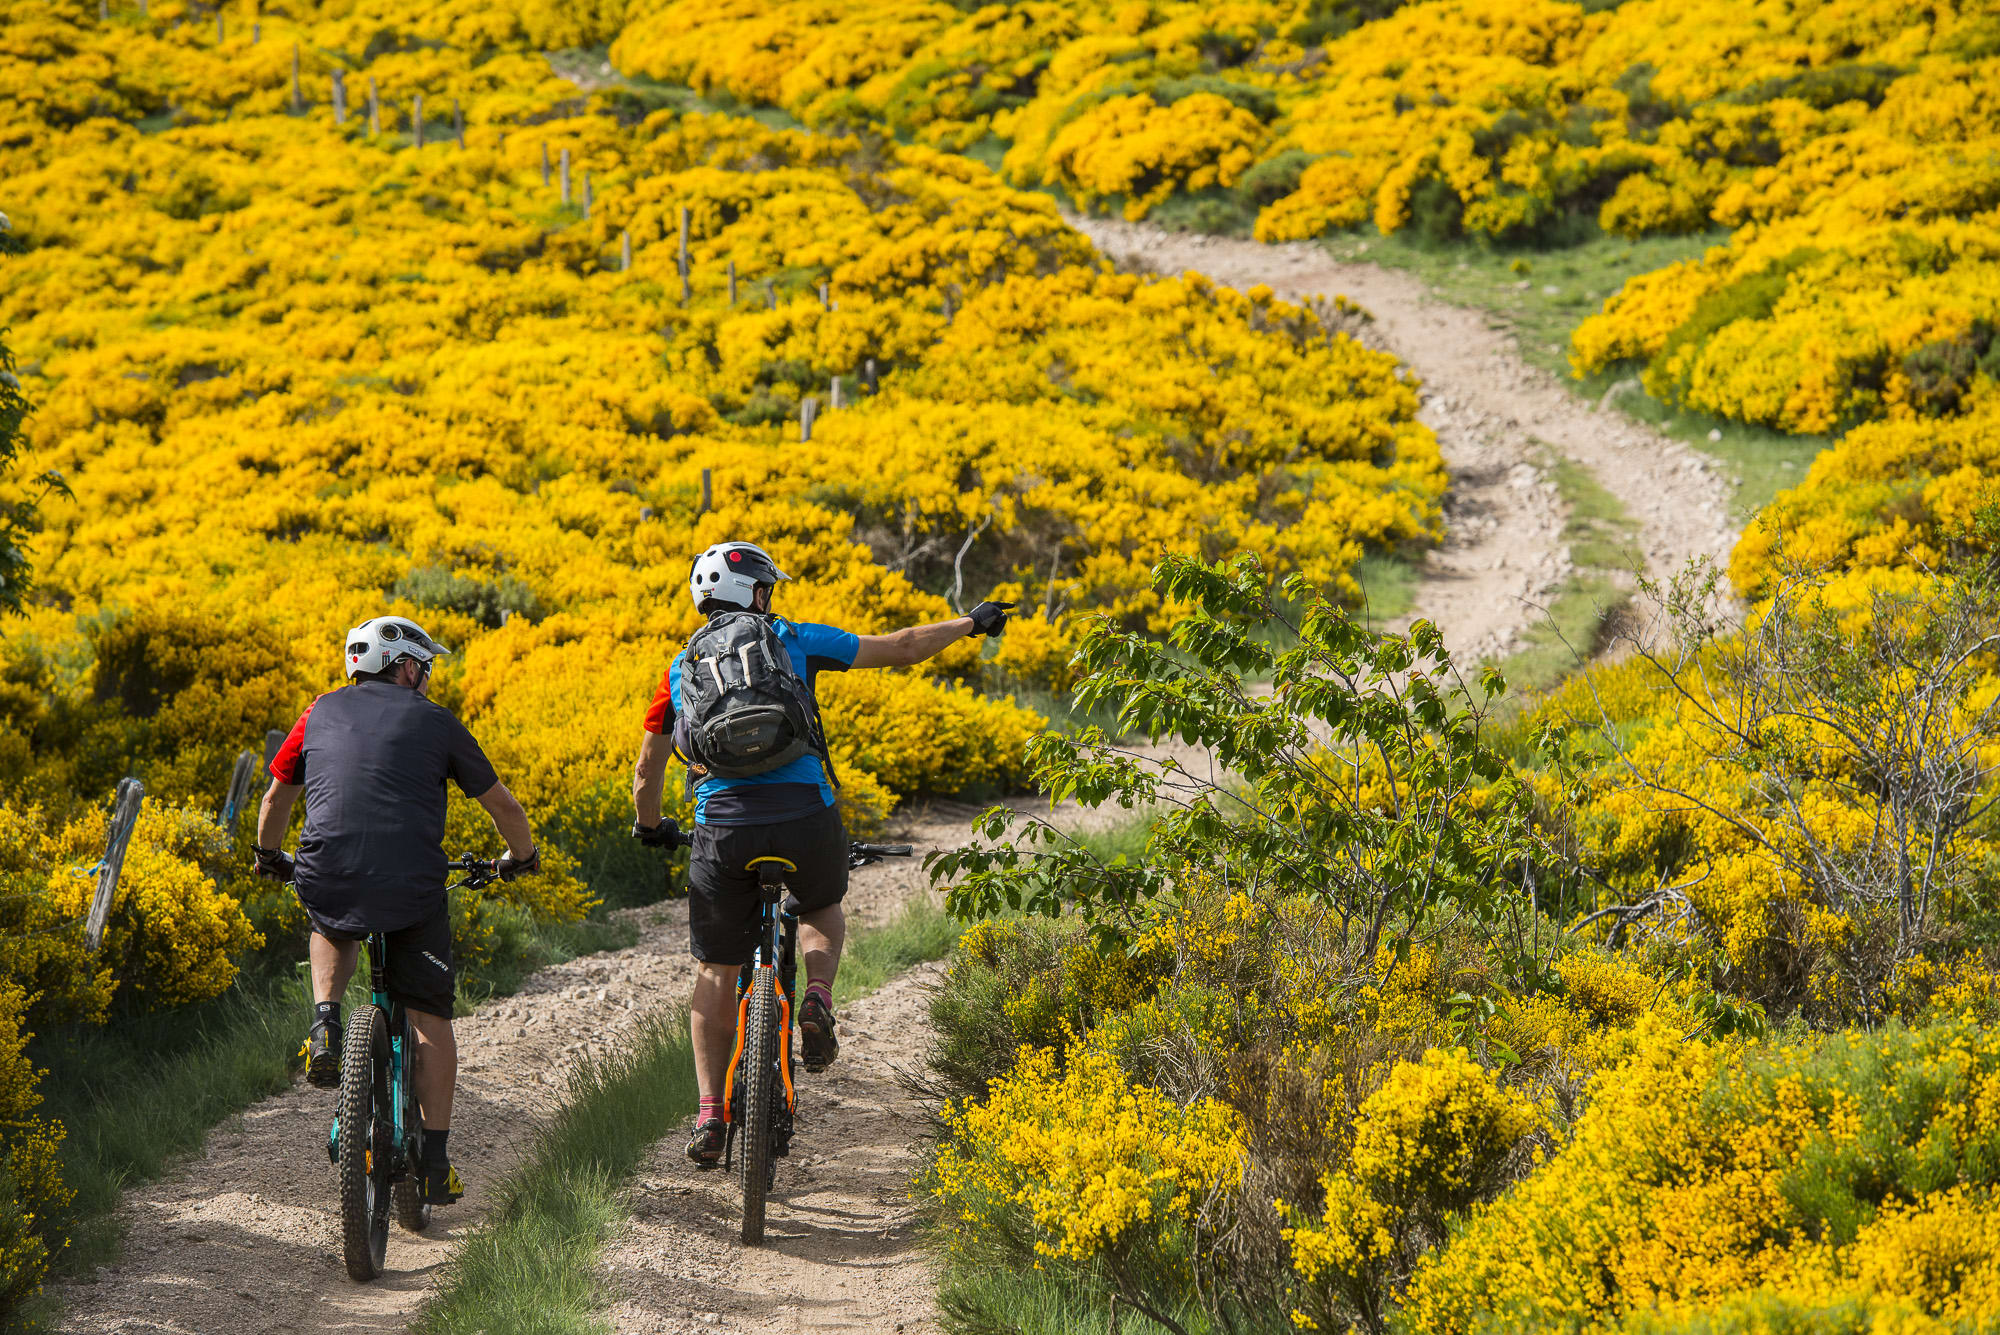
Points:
point(743, 706)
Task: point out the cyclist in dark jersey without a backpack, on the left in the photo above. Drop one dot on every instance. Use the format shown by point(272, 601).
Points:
point(371, 760)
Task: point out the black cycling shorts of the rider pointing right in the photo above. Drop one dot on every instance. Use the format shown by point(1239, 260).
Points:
point(723, 894)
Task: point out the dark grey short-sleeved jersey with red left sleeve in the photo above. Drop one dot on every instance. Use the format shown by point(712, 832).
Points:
point(375, 758)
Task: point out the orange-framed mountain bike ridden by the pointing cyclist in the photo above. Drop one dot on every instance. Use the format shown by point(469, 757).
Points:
point(759, 1102)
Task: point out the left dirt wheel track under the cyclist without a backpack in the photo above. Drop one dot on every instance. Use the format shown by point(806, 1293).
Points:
point(245, 1238)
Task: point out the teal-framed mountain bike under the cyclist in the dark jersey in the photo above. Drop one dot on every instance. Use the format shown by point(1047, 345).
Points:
point(377, 1142)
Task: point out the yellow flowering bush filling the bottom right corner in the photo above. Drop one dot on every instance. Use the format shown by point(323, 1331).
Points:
point(1851, 1170)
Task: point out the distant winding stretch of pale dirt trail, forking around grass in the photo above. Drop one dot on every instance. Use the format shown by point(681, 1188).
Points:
point(1503, 553)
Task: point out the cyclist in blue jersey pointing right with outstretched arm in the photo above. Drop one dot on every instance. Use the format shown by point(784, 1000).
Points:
point(787, 812)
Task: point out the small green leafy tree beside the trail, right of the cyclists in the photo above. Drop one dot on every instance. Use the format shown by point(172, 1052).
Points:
point(1359, 782)
